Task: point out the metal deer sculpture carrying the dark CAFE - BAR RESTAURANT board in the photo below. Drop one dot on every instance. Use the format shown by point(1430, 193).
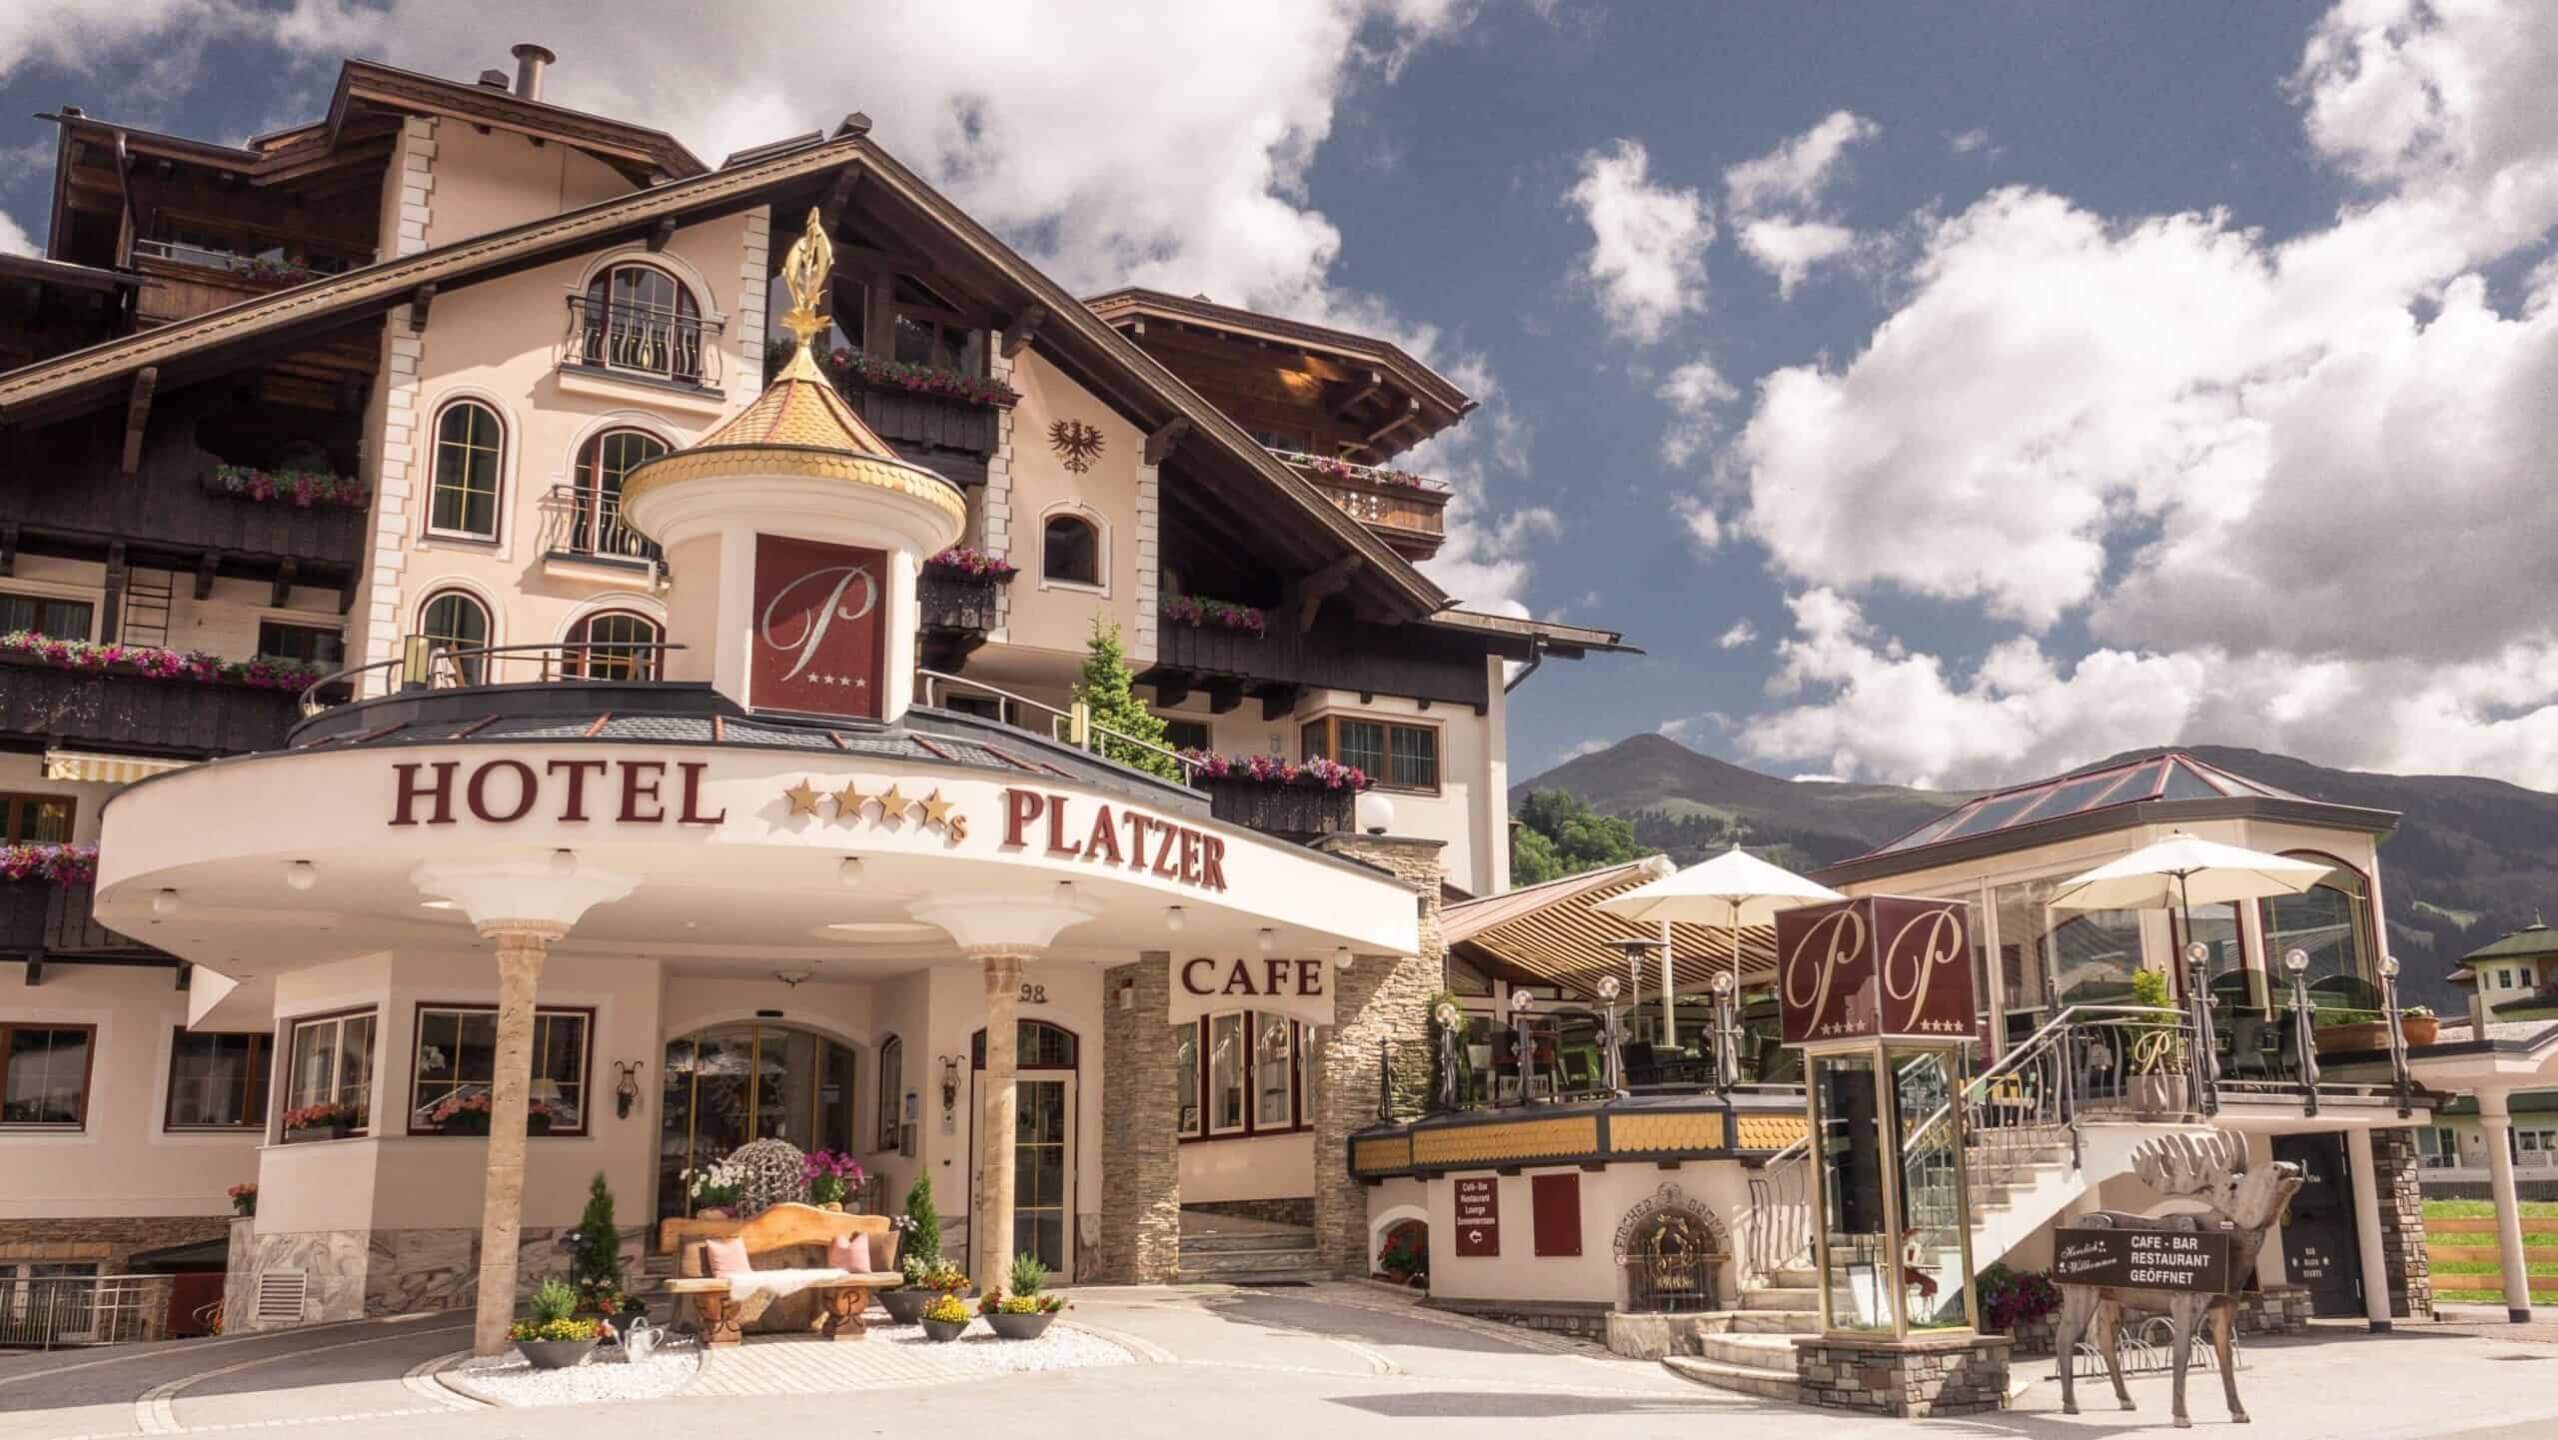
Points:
point(2245, 1203)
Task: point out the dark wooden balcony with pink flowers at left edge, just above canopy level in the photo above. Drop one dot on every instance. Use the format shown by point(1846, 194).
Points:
point(124, 710)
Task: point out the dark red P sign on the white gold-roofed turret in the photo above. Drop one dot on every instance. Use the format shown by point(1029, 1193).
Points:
point(820, 615)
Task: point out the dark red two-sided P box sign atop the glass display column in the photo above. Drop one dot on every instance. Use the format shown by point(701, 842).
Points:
point(1876, 966)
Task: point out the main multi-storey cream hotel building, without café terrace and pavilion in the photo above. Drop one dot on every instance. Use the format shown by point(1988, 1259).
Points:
point(367, 398)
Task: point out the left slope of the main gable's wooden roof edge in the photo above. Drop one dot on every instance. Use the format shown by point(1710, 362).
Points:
point(224, 339)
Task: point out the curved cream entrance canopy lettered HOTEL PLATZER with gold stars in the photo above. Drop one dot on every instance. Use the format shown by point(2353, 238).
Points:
point(738, 856)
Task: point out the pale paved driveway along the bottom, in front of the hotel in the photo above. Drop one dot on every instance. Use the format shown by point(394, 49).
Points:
point(1239, 1365)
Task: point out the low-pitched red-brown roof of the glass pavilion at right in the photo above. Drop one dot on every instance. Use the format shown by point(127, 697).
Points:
point(2155, 787)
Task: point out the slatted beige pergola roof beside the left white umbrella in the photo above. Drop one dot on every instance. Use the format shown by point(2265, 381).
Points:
point(1554, 935)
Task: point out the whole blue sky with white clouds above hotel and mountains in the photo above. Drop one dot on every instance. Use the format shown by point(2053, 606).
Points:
point(1938, 393)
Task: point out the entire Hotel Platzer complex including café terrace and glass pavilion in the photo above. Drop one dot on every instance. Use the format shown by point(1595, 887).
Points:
point(564, 656)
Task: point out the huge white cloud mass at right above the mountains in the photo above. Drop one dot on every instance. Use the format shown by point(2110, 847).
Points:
point(2293, 487)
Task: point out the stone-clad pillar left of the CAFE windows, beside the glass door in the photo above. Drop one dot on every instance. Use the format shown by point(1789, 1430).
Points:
point(1142, 1157)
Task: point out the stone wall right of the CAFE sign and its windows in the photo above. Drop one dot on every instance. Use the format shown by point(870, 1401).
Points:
point(1380, 1004)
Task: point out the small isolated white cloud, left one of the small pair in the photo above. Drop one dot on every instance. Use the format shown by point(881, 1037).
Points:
point(1649, 252)
